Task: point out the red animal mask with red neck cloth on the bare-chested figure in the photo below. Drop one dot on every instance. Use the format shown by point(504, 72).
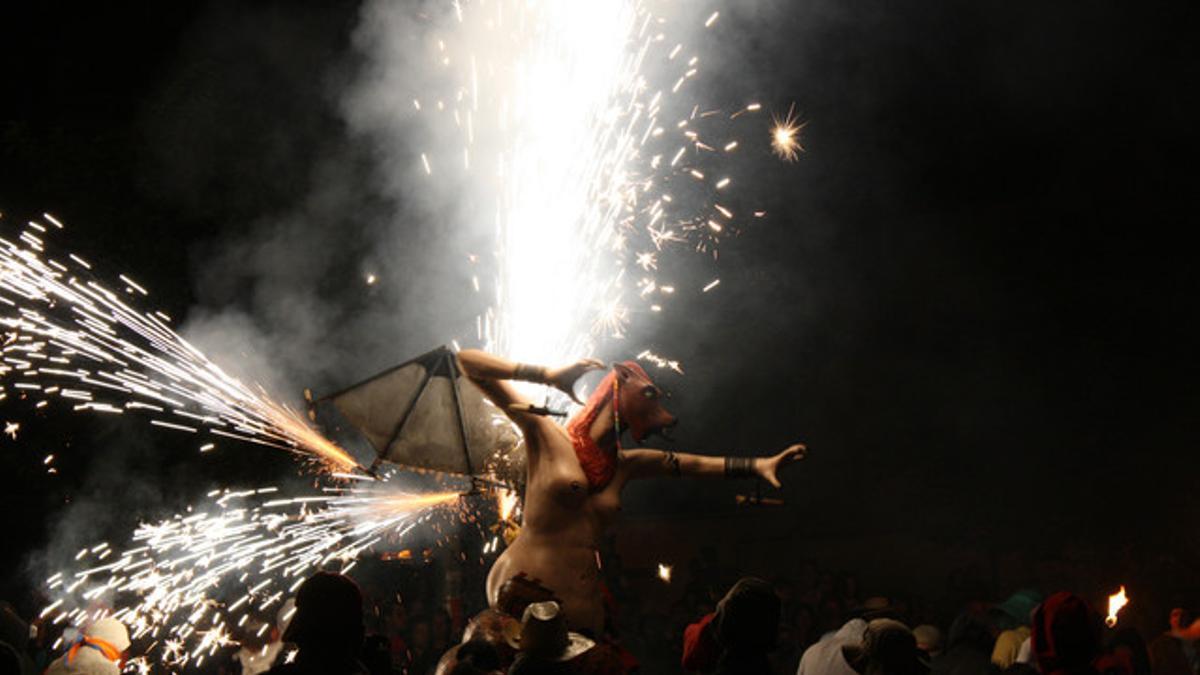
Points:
point(639, 408)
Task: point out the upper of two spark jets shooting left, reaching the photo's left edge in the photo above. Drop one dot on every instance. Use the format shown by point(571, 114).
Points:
point(68, 337)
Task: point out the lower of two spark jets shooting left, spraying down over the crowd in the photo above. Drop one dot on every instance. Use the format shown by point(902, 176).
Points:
point(188, 582)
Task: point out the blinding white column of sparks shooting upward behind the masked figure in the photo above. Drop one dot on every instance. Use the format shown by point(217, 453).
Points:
point(581, 200)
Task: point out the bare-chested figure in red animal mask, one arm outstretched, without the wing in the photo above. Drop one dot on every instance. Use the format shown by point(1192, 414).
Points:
point(575, 475)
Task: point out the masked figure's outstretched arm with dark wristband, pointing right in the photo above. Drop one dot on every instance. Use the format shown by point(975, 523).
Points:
point(647, 464)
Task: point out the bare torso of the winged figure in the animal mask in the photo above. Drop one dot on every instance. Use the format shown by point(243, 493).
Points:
point(562, 528)
